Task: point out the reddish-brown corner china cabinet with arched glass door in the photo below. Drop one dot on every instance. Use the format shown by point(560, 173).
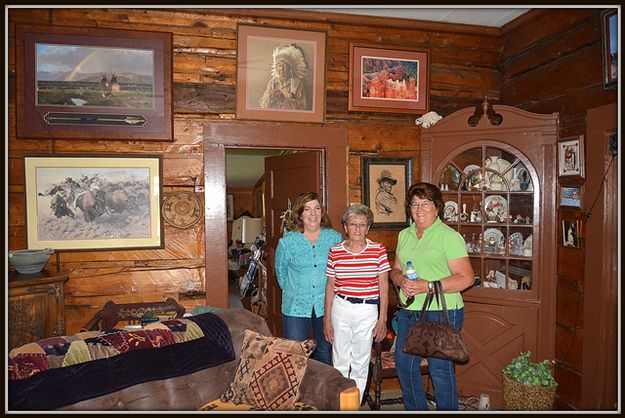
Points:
point(496, 166)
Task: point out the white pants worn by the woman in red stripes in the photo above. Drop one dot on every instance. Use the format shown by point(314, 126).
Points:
point(351, 349)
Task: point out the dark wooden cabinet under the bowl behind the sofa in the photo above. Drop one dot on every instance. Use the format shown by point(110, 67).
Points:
point(35, 307)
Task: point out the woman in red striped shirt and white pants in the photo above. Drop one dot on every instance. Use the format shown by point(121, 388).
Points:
point(357, 286)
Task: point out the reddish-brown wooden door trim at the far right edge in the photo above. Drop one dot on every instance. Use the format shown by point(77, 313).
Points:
point(599, 370)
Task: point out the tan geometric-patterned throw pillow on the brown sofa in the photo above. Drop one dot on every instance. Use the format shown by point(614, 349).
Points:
point(270, 371)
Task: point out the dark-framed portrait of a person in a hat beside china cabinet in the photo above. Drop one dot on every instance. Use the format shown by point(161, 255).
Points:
point(384, 185)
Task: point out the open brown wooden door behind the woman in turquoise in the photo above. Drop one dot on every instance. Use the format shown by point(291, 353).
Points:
point(285, 178)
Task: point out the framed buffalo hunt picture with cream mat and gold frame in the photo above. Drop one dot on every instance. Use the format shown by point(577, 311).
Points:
point(100, 202)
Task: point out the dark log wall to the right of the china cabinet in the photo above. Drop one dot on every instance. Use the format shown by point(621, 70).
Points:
point(552, 62)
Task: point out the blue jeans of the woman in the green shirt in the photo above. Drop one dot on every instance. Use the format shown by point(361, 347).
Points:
point(442, 372)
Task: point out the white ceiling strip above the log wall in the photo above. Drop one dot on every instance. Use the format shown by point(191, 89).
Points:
point(470, 15)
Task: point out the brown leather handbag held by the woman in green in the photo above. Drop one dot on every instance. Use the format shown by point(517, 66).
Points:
point(436, 338)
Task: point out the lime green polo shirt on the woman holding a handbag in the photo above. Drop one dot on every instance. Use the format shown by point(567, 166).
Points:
point(429, 256)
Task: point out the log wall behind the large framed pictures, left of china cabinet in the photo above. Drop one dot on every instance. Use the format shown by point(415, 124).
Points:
point(464, 68)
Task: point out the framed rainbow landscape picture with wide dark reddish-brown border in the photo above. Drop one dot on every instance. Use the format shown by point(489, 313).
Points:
point(96, 84)
